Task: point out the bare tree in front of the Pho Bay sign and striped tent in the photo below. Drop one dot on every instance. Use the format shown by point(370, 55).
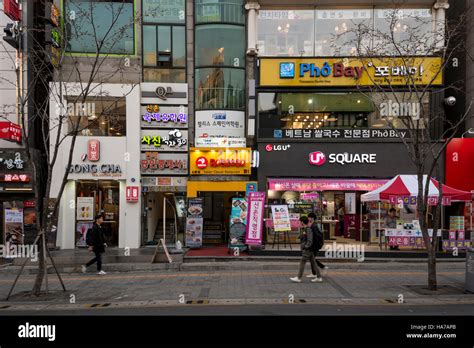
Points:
point(405, 57)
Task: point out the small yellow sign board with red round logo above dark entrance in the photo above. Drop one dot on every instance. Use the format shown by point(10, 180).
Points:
point(220, 161)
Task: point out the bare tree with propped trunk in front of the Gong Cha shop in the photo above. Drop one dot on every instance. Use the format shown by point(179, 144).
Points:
point(68, 79)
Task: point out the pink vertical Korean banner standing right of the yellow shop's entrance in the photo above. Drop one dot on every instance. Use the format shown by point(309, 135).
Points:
point(256, 204)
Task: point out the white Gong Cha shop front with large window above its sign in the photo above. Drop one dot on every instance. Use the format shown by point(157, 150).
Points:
point(104, 175)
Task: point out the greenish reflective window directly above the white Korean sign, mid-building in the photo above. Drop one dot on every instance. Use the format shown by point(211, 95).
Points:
point(220, 88)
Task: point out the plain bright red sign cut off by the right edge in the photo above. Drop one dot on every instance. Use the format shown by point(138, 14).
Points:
point(460, 164)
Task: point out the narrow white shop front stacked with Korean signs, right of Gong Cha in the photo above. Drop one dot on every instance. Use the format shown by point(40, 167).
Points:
point(164, 145)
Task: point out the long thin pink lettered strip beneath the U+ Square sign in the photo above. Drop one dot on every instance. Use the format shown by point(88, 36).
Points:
point(302, 185)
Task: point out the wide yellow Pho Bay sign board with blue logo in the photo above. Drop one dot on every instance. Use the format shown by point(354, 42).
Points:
point(322, 72)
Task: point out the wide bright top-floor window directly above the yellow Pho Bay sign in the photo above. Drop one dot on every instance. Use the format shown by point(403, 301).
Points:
point(335, 32)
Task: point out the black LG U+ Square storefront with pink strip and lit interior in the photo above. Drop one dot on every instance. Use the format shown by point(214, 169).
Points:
point(328, 179)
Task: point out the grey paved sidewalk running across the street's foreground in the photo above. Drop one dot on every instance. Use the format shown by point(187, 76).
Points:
point(246, 283)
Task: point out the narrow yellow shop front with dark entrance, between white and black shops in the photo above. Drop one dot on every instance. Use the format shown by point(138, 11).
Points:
point(219, 180)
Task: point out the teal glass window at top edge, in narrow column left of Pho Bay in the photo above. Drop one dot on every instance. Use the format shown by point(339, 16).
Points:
point(227, 11)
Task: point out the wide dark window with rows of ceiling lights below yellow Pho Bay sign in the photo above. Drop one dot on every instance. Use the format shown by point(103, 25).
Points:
point(336, 110)
